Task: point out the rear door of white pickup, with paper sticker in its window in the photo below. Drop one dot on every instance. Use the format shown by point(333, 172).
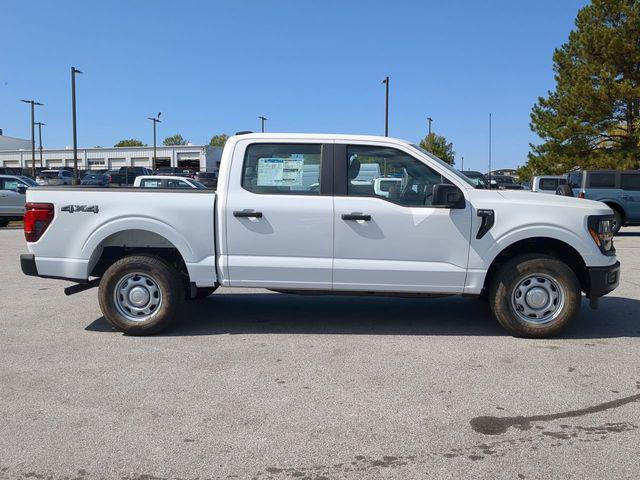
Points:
point(279, 216)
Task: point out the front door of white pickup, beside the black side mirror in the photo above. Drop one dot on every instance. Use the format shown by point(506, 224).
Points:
point(392, 239)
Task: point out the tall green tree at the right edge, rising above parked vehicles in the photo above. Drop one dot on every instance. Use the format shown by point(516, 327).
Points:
point(591, 119)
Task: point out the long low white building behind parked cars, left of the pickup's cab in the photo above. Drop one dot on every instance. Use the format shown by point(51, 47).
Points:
point(195, 157)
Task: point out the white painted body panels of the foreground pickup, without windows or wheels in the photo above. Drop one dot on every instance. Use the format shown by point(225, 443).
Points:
point(301, 241)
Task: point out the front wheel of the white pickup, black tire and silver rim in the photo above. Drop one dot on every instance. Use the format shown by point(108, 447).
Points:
point(545, 274)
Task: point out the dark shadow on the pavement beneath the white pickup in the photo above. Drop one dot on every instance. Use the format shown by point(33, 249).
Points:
point(268, 313)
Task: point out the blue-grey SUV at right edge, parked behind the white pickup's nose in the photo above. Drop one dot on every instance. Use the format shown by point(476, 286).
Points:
point(620, 189)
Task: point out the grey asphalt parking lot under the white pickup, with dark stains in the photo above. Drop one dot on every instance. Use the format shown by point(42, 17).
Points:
point(258, 385)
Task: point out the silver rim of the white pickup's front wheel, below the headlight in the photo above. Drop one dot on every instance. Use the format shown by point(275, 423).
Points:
point(537, 299)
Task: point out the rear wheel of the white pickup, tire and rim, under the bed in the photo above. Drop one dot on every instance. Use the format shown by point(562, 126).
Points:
point(166, 285)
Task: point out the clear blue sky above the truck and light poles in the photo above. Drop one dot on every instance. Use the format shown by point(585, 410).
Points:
point(309, 66)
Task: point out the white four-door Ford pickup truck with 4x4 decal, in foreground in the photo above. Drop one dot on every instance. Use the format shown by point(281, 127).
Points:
point(293, 214)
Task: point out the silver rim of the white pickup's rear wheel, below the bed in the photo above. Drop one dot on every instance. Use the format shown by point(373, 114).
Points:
point(137, 297)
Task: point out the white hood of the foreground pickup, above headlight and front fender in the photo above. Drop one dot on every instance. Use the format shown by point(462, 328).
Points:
point(533, 199)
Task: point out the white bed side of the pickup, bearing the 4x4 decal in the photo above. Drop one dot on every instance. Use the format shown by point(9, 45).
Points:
point(87, 220)
